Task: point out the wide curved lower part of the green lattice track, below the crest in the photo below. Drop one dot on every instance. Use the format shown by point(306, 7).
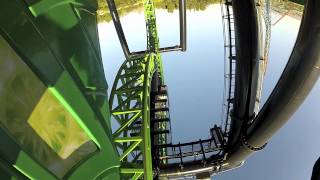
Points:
point(129, 105)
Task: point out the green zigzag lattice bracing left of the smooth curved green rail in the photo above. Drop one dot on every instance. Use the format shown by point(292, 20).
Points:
point(126, 102)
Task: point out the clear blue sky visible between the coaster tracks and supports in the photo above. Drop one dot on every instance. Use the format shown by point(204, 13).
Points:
point(195, 82)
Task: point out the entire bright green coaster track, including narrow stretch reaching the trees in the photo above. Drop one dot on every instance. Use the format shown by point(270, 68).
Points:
point(130, 103)
